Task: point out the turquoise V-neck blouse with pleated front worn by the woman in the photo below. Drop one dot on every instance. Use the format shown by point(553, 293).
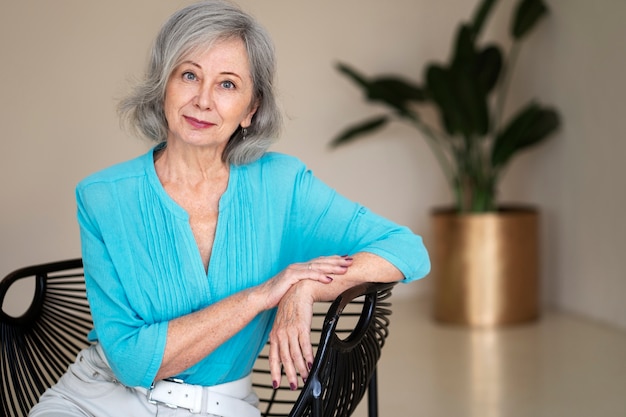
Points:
point(143, 267)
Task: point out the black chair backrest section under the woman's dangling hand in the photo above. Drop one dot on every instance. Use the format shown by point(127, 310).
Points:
point(351, 332)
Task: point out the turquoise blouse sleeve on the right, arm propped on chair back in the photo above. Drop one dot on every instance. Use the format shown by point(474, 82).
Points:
point(330, 224)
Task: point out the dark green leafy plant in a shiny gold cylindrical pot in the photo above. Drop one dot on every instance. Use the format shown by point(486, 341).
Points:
point(477, 280)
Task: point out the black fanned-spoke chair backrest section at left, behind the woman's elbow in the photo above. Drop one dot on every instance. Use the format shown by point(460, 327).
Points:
point(38, 345)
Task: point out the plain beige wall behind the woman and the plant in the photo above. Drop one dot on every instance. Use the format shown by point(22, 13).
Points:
point(65, 62)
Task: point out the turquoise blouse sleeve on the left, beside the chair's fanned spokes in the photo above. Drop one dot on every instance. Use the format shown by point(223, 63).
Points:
point(120, 329)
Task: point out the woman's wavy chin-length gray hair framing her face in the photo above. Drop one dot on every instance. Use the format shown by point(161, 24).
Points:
point(199, 26)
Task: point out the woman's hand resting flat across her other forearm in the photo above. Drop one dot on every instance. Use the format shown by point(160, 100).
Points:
point(323, 269)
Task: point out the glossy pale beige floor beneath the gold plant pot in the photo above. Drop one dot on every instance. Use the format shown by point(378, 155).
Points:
point(559, 366)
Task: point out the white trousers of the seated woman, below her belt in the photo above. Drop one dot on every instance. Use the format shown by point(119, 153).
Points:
point(89, 389)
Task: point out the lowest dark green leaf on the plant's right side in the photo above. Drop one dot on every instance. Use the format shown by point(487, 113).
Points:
point(531, 125)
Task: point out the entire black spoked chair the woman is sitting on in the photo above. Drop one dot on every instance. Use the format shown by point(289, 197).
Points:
point(37, 346)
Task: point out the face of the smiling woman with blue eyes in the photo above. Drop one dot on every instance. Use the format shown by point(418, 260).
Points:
point(209, 95)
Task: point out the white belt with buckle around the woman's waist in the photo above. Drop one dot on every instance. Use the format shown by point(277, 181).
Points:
point(220, 400)
